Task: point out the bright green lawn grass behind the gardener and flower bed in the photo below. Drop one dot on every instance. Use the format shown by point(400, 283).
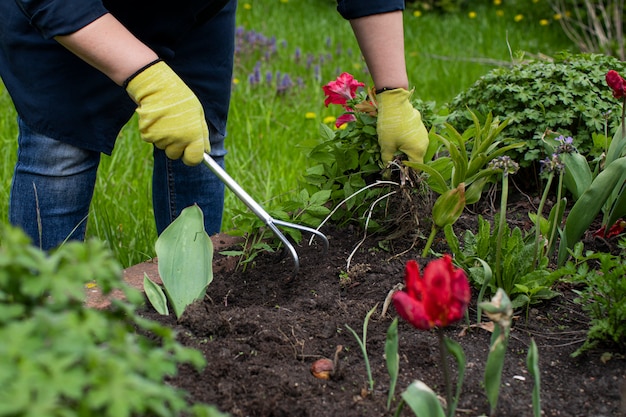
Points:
point(268, 132)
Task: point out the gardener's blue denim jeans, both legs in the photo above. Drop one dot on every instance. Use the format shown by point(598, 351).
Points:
point(53, 185)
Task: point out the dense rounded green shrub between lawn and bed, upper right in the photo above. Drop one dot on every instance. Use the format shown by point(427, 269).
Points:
point(568, 95)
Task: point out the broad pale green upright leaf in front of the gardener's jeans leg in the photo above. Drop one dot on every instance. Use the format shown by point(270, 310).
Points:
point(185, 254)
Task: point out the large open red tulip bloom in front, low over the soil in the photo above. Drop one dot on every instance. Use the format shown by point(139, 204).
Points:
point(437, 299)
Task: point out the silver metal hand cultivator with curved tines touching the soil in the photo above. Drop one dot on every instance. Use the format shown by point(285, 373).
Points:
point(262, 214)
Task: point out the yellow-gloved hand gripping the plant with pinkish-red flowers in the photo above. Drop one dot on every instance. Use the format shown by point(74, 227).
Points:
point(400, 126)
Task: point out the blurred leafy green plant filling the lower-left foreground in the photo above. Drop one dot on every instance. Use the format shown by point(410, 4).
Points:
point(59, 358)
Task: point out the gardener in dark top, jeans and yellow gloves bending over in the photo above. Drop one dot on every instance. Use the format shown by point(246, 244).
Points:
point(78, 69)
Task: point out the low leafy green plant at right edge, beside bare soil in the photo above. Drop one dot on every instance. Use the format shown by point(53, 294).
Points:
point(602, 295)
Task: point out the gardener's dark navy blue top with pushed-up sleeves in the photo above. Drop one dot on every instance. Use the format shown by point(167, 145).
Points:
point(59, 95)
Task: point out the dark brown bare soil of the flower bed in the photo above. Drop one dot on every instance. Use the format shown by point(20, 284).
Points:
point(261, 330)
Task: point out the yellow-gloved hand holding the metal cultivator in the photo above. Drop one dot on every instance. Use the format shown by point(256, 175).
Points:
point(170, 115)
